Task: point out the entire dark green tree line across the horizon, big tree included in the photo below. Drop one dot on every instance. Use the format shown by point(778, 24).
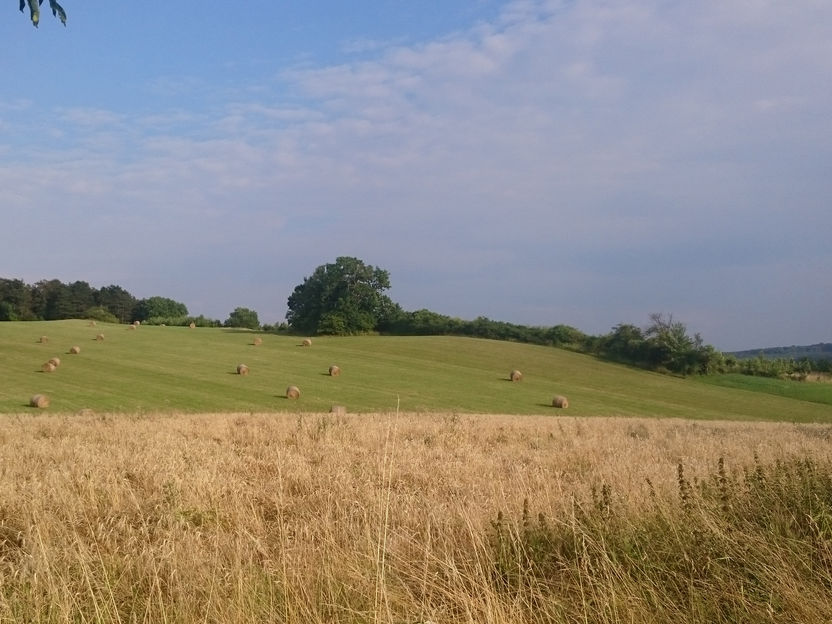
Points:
point(347, 297)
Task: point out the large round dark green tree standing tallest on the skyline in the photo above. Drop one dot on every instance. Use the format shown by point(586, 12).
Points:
point(344, 297)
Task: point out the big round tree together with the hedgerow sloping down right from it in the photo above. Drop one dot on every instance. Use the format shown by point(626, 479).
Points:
point(347, 297)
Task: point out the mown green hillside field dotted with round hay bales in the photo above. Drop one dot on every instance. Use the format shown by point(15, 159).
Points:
point(168, 369)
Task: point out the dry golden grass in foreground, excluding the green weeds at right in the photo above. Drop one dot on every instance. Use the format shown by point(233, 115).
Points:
point(332, 518)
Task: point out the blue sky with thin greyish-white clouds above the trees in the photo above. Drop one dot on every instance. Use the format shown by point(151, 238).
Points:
point(539, 162)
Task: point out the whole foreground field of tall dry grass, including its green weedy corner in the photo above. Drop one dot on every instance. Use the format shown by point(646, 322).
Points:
point(406, 518)
